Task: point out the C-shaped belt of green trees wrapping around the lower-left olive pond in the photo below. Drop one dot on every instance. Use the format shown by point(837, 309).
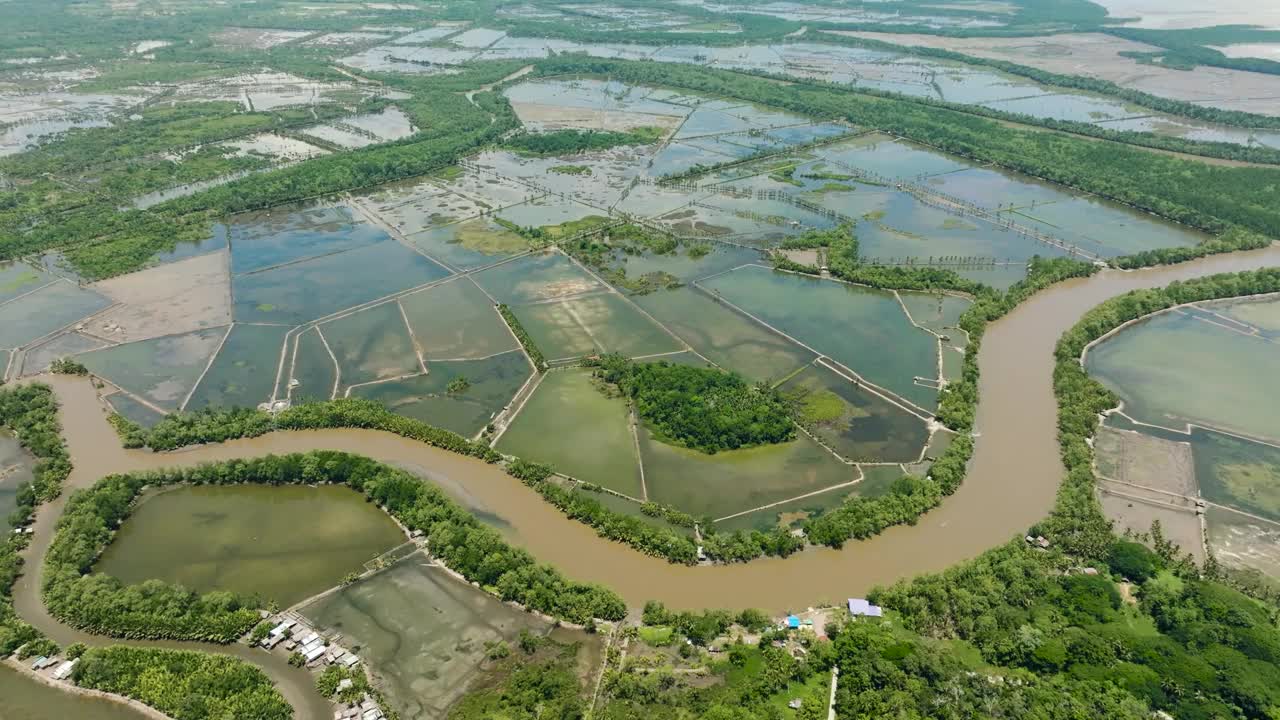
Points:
point(103, 605)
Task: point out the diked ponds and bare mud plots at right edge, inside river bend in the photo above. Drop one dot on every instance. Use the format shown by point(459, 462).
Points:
point(1220, 421)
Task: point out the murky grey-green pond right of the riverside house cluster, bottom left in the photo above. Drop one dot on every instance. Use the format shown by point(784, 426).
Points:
point(423, 635)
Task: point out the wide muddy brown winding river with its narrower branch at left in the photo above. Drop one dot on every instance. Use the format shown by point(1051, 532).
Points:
point(1012, 484)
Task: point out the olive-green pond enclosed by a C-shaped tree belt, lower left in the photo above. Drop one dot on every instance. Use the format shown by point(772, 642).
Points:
point(282, 544)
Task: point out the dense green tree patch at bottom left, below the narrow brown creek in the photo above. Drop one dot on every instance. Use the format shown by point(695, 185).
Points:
point(185, 686)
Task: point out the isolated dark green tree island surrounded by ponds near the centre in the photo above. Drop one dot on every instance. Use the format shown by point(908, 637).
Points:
point(700, 408)
